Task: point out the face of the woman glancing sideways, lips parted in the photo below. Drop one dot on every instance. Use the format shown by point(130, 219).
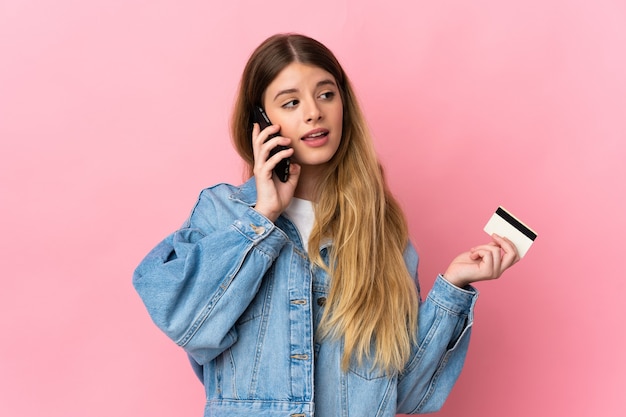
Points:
point(305, 101)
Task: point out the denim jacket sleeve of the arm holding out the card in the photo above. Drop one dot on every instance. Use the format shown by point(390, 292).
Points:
point(445, 322)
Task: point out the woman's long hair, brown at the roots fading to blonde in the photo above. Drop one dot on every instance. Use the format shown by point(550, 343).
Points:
point(372, 302)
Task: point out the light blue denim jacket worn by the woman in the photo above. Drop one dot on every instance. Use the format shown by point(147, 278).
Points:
point(239, 294)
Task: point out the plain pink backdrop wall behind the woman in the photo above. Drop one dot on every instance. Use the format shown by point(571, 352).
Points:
point(113, 115)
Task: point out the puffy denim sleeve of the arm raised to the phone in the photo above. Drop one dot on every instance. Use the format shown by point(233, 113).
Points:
point(197, 282)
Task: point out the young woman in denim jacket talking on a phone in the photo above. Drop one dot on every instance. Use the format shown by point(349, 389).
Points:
point(300, 297)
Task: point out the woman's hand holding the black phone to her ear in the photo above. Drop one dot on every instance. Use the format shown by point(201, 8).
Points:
point(273, 196)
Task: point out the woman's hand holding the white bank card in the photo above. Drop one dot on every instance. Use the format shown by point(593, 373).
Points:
point(482, 262)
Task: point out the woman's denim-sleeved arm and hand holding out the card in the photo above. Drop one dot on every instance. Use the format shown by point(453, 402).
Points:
point(445, 321)
